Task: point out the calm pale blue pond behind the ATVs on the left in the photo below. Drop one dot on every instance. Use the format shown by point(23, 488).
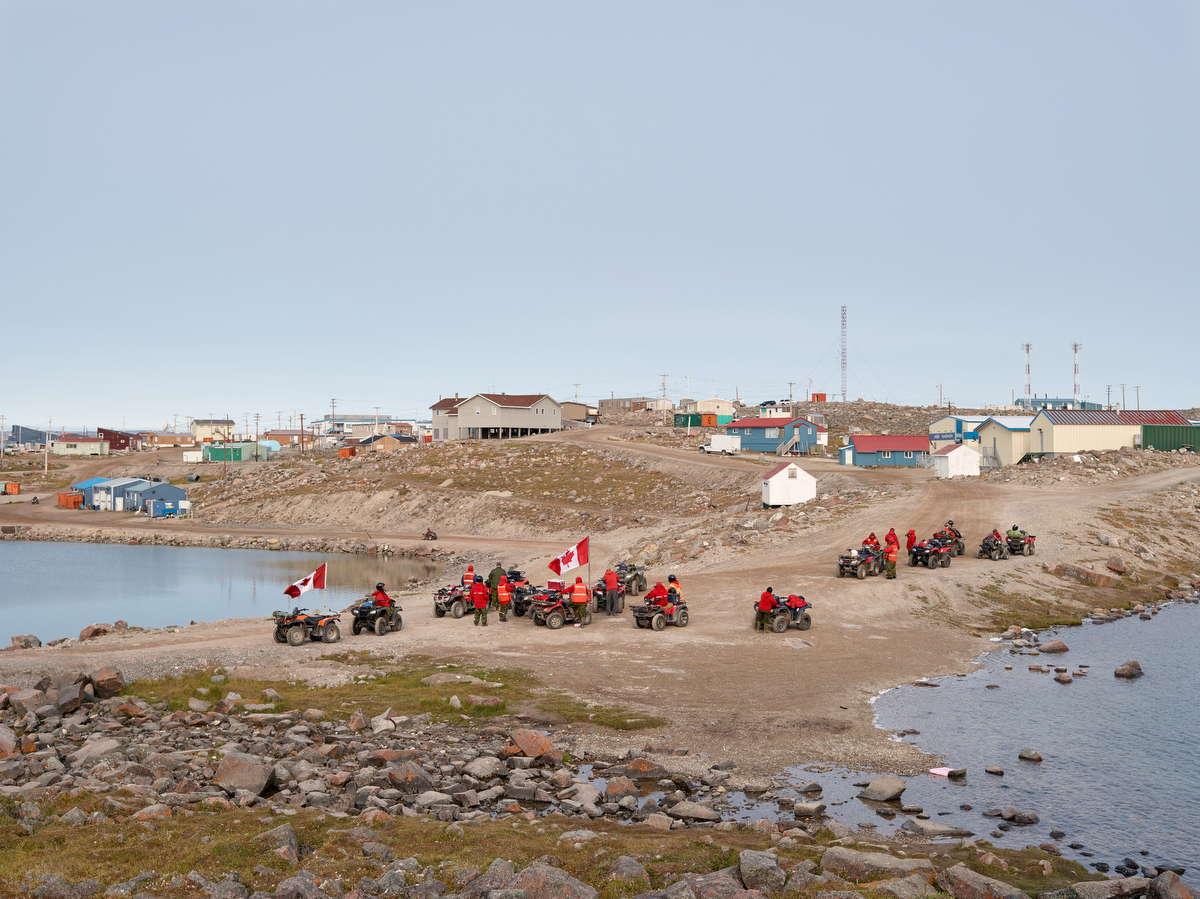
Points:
point(56, 590)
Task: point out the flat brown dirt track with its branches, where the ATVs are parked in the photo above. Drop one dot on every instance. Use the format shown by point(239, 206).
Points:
point(765, 700)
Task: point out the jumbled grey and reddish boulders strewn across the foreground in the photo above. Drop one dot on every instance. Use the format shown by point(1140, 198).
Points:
point(80, 736)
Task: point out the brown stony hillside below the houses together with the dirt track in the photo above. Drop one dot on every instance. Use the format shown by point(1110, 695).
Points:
point(727, 691)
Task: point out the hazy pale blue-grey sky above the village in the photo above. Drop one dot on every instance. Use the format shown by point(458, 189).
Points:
point(262, 207)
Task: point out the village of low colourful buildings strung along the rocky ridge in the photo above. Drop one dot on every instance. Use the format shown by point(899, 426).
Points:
point(953, 446)
